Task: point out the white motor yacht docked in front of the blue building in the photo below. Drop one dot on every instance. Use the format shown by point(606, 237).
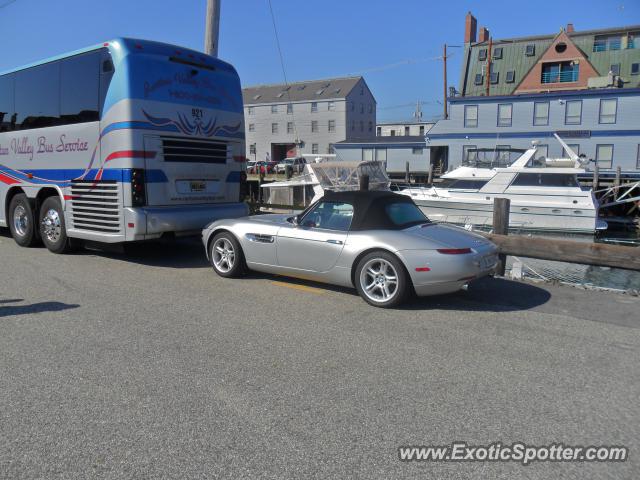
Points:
point(545, 194)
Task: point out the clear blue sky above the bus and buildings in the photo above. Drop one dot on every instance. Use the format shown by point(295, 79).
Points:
point(394, 44)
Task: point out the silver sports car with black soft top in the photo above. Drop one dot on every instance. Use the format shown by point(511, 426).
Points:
point(379, 242)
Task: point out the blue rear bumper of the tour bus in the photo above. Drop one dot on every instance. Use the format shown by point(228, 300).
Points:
point(151, 222)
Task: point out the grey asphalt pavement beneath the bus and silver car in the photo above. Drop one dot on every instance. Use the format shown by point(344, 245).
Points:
point(146, 365)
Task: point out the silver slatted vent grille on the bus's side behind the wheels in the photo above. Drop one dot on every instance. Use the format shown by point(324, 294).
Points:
point(95, 205)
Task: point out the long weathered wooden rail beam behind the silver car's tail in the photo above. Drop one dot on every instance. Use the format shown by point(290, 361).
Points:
point(598, 254)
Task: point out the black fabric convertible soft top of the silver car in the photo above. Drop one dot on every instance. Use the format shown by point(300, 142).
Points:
point(369, 211)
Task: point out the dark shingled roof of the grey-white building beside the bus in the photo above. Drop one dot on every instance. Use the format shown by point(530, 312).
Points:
point(305, 91)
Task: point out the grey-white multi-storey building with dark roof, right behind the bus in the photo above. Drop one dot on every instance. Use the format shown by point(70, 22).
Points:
point(307, 117)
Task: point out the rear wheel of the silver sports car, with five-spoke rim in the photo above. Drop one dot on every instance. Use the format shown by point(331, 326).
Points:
point(381, 280)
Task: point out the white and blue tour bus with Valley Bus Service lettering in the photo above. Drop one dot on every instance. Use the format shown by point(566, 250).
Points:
point(125, 141)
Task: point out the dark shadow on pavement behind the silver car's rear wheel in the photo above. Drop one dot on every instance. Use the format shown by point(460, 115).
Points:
point(487, 294)
